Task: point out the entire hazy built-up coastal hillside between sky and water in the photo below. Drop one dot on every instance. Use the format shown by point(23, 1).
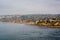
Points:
point(50, 20)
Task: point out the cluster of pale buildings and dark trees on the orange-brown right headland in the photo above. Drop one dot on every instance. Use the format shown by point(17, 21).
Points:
point(49, 22)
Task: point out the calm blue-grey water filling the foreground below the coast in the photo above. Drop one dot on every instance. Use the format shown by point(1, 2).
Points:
point(10, 31)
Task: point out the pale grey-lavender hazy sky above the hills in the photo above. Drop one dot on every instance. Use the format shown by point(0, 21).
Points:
point(29, 7)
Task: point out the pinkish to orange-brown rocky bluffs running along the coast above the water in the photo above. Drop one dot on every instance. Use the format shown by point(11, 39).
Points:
point(55, 25)
